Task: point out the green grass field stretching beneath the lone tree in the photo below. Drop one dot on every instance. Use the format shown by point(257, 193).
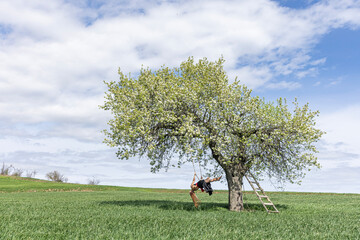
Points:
point(36, 209)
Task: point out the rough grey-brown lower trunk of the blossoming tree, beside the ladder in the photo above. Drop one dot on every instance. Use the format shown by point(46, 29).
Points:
point(235, 192)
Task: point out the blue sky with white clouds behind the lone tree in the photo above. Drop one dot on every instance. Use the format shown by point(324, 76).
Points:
point(55, 55)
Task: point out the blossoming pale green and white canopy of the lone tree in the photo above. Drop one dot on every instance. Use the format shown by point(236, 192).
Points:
point(195, 112)
